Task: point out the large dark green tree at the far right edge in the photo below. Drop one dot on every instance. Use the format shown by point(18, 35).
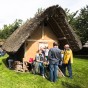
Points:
point(82, 24)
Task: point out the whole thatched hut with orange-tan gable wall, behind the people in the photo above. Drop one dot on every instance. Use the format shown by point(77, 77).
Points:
point(42, 30)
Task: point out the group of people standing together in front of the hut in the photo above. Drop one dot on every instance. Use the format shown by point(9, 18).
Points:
point(53, 58)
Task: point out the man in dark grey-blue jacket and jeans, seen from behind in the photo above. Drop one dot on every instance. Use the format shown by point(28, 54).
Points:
point(54, 58)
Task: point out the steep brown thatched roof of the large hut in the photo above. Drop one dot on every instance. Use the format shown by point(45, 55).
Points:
point(56, 18)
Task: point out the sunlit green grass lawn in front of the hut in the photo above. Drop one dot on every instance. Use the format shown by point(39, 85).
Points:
point(12, 79)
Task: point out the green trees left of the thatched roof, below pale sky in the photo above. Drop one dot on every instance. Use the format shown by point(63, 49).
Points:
point(9, 29)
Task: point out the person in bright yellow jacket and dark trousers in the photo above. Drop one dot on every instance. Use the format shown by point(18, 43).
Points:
point(68, 59)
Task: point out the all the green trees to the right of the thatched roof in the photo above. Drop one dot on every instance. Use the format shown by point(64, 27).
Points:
point(79, 23)
